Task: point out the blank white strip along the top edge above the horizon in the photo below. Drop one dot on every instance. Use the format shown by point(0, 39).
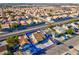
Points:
point(39, 1)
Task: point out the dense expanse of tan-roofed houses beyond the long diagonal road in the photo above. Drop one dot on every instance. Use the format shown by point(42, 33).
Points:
point(25, 17)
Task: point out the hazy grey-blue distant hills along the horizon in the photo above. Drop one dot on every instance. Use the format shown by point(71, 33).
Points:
point(36, 4)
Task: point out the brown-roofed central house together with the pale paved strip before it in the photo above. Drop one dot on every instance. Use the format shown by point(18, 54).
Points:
point(38, 36)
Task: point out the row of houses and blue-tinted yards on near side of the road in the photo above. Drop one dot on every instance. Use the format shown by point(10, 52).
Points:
point(37, 40)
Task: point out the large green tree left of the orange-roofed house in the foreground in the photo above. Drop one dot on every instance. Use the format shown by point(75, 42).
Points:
point(12, 44)
